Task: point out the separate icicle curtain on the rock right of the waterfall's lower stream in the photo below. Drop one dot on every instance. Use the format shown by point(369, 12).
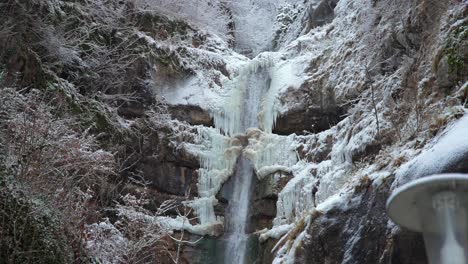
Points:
point(296, 199)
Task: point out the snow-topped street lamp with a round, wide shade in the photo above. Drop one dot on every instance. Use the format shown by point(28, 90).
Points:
point(437, 206)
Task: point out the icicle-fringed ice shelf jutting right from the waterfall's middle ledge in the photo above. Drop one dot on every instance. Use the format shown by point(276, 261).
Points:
point(270, 151)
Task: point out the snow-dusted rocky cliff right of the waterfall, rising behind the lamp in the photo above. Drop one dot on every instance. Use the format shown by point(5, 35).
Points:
point(358, 230)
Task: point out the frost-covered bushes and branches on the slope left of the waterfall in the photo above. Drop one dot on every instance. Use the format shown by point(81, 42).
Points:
point(77, 112)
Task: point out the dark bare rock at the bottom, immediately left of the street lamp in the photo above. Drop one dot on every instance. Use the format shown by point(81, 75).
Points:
point(358, 233)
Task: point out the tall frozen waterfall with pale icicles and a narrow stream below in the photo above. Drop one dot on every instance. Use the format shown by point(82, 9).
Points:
point(237, 149)
